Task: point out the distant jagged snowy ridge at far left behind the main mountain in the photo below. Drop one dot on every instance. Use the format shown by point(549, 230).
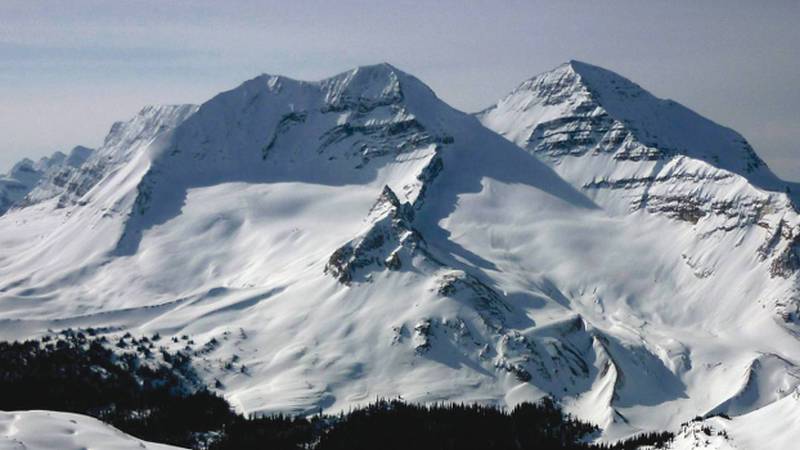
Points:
point(26, 175)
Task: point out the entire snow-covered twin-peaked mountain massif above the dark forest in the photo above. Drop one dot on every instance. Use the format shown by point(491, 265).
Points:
point(356, 238)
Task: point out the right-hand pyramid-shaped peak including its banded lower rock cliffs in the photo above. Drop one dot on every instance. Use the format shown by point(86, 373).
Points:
point(630, 151)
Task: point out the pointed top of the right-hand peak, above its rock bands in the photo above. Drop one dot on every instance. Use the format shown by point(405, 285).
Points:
point(604, 99)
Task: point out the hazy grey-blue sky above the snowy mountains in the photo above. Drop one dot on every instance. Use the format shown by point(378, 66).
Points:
point(68, 69)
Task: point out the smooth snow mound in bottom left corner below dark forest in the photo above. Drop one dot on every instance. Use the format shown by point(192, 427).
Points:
point(47, 430)
